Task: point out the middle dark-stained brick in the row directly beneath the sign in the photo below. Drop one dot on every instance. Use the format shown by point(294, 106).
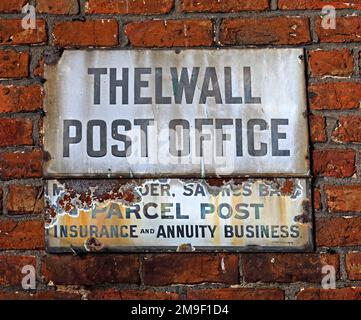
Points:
point(165, 269)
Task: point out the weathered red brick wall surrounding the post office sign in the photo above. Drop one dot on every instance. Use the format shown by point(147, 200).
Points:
point(334, 93)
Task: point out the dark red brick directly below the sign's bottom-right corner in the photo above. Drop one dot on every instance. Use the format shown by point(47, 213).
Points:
point(286, 267)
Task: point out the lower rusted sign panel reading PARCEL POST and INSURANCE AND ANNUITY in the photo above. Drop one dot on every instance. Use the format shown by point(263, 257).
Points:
point(178, 215)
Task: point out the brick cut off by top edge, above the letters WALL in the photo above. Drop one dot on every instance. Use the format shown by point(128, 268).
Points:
point(222, 5)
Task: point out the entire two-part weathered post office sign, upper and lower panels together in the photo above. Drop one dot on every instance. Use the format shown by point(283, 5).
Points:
point(150, 121)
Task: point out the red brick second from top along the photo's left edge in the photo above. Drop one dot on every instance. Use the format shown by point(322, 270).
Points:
point(12, 32)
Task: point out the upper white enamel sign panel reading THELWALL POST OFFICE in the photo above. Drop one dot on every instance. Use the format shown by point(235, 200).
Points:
point(163, 113)
